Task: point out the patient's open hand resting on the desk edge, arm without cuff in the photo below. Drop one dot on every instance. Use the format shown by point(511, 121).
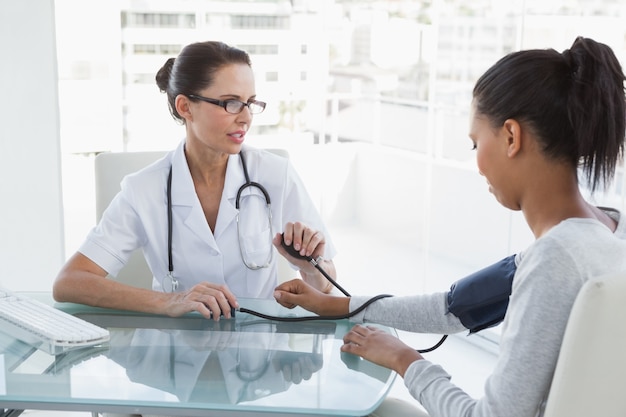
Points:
point(379, 347)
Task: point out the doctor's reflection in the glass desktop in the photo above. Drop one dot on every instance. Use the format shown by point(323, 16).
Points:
point(230, 361)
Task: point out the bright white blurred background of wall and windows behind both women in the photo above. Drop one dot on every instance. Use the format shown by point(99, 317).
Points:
point(370, 98)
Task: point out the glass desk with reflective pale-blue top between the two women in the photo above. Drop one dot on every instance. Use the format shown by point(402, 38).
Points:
point(191, 366)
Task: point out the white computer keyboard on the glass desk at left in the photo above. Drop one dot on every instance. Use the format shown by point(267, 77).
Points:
point(45, 327)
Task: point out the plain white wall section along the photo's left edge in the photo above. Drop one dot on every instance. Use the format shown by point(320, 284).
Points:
point(31, 215)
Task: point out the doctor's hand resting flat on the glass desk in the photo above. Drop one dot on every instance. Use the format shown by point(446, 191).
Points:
point(206, 298)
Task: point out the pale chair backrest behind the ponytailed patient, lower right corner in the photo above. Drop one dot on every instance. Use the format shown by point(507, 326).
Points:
point(590, 376)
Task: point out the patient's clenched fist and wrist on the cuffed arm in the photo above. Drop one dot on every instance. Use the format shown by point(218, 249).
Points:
point(298, 293)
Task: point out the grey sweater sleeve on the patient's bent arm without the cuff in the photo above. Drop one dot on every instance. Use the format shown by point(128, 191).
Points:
point(544, 289)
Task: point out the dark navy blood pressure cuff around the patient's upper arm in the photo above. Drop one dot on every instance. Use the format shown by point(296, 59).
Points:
point(480, 300)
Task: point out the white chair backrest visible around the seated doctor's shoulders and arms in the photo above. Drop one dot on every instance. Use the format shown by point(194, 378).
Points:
point(110, 169)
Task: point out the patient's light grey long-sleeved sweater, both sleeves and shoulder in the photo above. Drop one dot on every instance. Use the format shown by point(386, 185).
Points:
point(549, 275)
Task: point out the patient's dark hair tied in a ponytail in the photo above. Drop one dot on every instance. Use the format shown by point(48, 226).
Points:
point(573, 101)
